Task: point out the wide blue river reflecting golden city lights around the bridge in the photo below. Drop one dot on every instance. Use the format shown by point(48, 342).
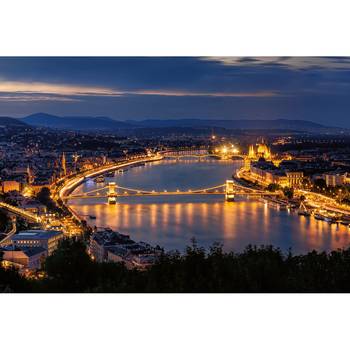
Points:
point(171, 221)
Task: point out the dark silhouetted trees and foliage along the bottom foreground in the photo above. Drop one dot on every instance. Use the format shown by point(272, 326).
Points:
point(256, 269)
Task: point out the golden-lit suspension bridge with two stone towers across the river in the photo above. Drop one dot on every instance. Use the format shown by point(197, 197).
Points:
point(112, 191)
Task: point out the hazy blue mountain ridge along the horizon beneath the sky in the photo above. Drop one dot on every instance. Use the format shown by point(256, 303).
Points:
point(106, 123)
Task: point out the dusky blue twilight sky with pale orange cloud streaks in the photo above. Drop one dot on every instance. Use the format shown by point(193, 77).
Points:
point(311, 88)
